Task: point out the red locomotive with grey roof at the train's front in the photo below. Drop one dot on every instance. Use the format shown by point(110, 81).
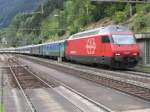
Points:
point(113, 45)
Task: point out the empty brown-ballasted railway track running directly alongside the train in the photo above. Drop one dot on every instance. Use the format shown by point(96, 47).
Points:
point(137, 85)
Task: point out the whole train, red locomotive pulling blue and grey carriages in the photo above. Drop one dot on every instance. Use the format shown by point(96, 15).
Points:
point(114, 46)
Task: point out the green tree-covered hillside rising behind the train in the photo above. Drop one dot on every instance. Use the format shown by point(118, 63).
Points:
point(61, 18)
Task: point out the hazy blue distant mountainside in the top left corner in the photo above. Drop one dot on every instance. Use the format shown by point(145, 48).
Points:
point(9, 8)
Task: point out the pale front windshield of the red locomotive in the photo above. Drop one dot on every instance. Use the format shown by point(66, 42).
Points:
point(123, 39)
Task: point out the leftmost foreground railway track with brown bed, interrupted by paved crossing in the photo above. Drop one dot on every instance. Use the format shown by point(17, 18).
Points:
point(26, 79)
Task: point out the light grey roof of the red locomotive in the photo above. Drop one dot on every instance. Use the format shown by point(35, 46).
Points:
point(101, 30)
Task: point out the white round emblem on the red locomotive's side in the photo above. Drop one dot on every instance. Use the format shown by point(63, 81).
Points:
point(91, 46)
